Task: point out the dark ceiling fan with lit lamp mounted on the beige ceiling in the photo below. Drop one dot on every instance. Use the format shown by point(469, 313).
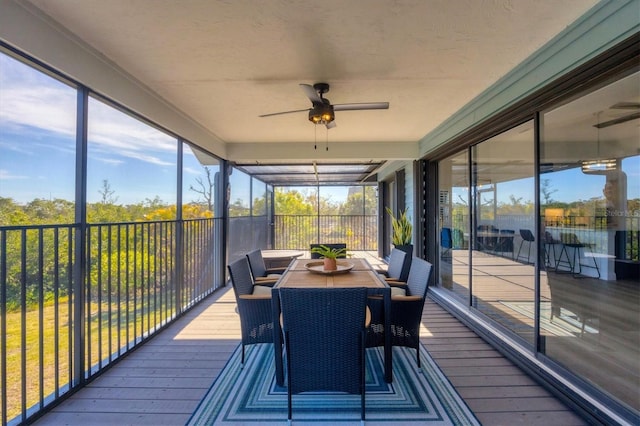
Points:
point(321, 111)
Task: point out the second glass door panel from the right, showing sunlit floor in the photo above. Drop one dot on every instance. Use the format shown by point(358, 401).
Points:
point(502, 237)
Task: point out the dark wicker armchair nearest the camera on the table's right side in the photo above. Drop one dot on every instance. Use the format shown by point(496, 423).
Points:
point(407, 303)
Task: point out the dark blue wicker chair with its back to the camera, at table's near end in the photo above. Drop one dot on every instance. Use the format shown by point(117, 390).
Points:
point(324, 332)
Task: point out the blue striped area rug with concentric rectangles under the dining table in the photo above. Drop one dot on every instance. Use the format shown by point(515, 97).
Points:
point(250, 396)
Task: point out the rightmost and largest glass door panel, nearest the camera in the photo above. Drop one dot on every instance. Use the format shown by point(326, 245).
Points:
point(590, 211)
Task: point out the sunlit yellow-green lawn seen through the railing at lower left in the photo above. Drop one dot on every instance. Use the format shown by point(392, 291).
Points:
point(41, 327)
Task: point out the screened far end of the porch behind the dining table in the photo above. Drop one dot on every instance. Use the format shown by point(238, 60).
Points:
point(265, 216)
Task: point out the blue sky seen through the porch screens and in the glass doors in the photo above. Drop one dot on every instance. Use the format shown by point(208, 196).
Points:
point(37, 155)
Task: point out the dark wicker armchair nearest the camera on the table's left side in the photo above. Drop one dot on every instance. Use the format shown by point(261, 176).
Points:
point(254, 305)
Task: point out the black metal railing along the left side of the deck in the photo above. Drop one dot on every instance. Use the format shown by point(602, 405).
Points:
point(73, 301)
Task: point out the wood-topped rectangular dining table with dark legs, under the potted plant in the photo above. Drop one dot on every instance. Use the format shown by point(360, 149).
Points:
point(360, 274)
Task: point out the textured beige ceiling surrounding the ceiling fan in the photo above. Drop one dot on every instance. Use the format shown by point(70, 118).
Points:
point(223, 63)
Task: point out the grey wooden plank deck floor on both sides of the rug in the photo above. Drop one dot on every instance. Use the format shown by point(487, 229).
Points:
point(162, 382)
